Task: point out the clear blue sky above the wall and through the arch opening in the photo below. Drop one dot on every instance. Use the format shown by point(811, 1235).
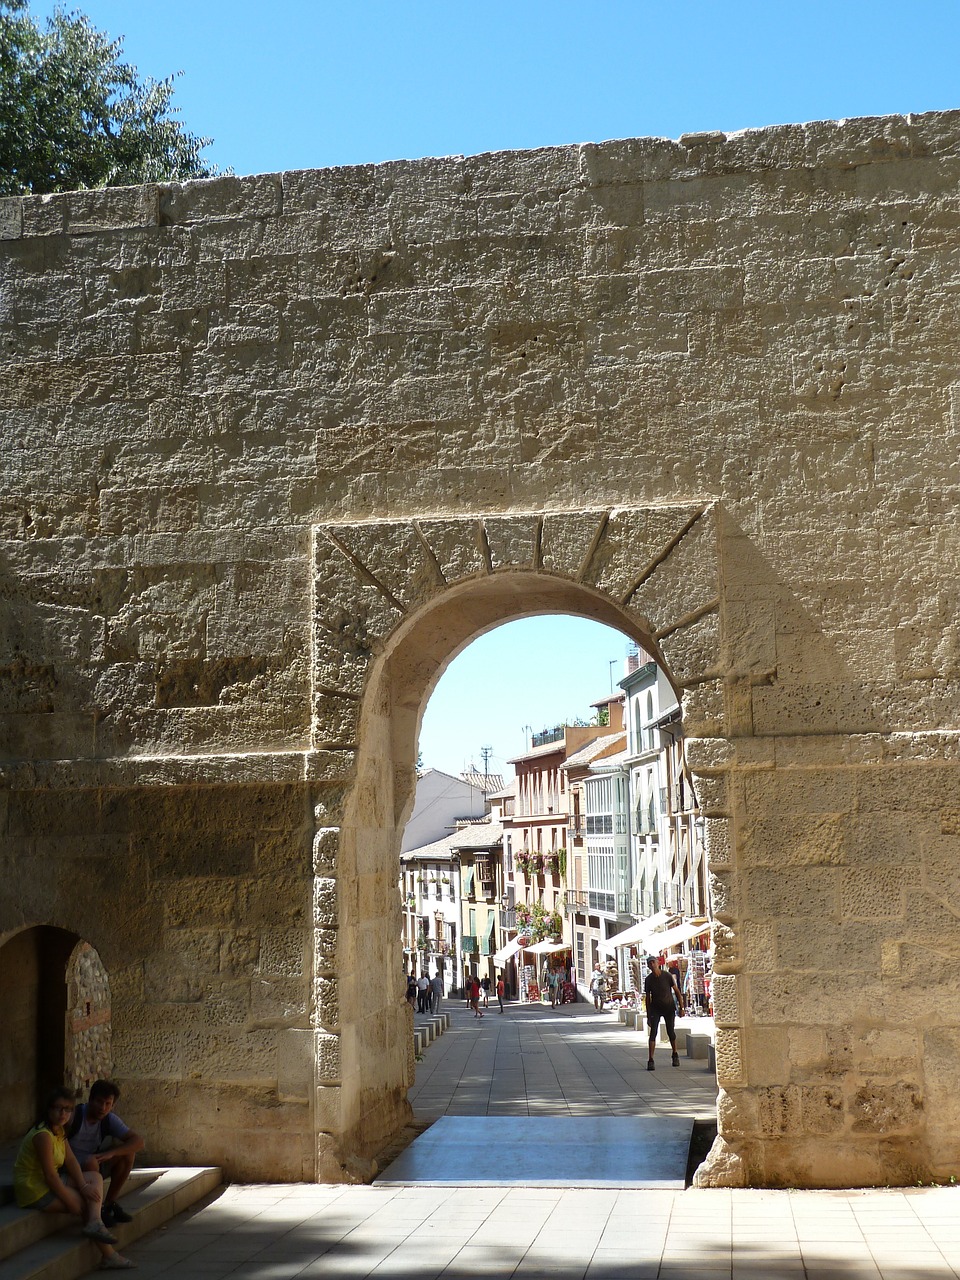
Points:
point(307, 84)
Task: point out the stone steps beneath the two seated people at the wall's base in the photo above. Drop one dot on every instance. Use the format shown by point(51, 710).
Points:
point(49, 1247)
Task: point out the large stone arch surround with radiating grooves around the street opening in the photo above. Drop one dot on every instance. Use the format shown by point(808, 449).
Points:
point(415, 595)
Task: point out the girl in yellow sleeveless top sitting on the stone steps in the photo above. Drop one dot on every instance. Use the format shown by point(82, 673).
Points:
point(38, 1182)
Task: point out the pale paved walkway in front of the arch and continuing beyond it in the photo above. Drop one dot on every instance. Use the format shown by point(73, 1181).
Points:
point(588, 1066)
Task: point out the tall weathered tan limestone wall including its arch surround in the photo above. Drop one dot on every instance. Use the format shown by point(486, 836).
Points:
point(277, 449)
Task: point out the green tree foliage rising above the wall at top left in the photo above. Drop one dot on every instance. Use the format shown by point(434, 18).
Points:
point(74, 115)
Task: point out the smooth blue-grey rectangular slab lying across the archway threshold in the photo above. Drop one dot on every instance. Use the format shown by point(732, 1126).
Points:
point(547, 1151)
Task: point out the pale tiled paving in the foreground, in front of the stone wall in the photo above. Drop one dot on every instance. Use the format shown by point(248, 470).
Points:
point(435, 1233)
